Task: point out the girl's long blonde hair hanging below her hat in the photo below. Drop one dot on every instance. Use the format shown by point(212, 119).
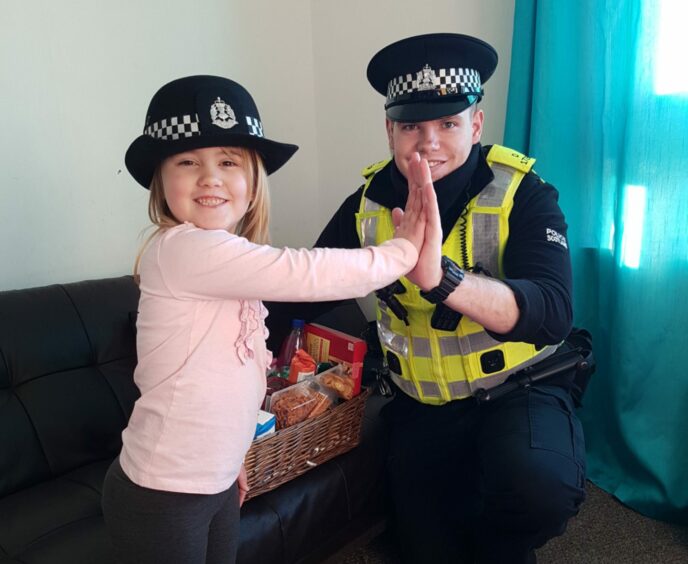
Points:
point(254, 226)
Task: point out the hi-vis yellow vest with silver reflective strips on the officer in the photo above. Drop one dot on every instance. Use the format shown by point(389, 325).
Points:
point(439, 366)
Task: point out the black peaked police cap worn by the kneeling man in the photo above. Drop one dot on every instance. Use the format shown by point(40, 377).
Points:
point(431, 76)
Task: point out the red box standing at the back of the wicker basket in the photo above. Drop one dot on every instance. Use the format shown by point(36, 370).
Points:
point(329, 345)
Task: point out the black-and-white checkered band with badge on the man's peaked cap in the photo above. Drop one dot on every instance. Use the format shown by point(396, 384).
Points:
point(442, 82)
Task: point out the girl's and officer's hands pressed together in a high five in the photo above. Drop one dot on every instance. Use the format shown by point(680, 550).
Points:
point(420, 223)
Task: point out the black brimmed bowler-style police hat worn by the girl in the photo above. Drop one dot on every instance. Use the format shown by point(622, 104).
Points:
point(196, 112)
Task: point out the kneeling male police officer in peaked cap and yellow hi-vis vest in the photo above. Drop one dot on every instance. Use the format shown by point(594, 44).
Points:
point(470, 481)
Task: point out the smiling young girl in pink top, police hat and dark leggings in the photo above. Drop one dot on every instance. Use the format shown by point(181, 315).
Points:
point(174, 493)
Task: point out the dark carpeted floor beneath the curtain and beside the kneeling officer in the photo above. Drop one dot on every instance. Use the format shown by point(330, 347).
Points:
point(604, 532)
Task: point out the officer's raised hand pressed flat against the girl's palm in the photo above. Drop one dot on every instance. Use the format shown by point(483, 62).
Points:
point(428, 271)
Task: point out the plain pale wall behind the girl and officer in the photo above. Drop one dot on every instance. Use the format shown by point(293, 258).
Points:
point(77, 77)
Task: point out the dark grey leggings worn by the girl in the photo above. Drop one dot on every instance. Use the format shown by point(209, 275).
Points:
point(151, 526)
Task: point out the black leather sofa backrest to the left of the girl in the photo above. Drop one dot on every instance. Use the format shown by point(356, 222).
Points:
point(66, 357)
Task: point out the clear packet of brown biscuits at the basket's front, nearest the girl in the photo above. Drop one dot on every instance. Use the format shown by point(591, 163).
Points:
point(299, 402)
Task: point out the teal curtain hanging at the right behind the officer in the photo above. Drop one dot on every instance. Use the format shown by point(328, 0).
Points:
point(596, 97)
